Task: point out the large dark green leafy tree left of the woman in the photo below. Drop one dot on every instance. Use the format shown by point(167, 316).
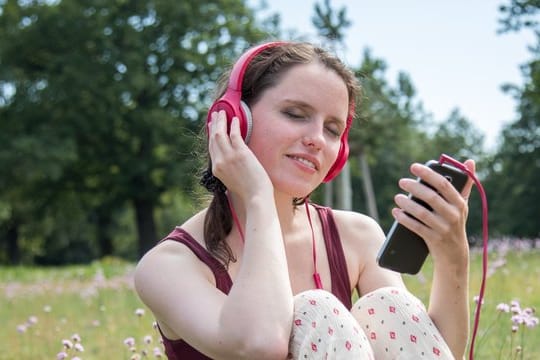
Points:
point(119, 90)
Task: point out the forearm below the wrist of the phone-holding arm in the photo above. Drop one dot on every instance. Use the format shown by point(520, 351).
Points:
point(449, 305)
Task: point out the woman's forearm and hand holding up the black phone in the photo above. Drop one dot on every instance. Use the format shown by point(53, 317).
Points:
point(443, 230)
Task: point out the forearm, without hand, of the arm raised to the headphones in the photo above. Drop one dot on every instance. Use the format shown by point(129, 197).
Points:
point(260, 304)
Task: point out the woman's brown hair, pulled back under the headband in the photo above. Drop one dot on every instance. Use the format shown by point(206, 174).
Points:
point(263, 72)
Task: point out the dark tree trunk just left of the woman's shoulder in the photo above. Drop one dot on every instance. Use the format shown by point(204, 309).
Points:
point(146, 227)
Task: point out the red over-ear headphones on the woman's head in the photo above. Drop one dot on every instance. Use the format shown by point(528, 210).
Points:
point(231, 102)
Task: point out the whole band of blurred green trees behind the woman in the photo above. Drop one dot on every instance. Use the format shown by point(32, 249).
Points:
point(101, 106)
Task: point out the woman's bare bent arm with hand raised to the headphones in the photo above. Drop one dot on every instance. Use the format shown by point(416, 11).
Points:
point(254, 320)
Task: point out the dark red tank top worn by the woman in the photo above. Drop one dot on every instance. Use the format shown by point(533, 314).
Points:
point(179, 349)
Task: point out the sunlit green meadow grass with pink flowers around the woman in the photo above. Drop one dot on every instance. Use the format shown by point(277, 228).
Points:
point(41, 307)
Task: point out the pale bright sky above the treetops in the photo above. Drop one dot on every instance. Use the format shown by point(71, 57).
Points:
point(451, 50)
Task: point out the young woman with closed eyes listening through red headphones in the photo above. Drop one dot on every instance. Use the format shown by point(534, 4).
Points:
point(263, 273)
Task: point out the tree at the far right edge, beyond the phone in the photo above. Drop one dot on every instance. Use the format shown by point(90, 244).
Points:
point(515, 195)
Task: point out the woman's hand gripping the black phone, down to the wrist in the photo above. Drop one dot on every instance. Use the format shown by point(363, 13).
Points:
point(443, 229)
